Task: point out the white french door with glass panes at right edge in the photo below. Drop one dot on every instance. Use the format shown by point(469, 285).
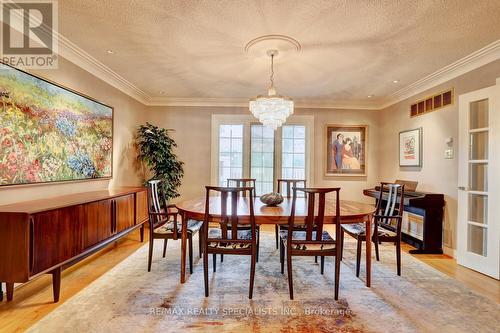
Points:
point(478, 234)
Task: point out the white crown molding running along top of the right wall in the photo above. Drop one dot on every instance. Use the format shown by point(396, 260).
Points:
point(481, 57)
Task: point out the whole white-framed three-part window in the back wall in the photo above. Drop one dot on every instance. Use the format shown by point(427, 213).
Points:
point(244, 148)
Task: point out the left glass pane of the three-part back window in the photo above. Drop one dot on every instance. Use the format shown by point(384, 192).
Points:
point(230, 152)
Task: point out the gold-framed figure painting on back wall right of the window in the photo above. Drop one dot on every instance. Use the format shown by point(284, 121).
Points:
point(346, 150)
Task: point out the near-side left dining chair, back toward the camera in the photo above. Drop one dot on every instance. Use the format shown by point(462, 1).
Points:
point(228, 238)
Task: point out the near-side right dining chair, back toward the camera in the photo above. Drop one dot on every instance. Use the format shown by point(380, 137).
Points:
point(312, 242)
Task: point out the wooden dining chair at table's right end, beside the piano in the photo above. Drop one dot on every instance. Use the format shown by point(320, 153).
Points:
point(387, 223)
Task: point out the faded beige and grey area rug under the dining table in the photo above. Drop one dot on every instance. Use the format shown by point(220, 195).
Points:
point(129, 299)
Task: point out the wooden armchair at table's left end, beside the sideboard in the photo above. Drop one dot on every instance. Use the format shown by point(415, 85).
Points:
point(163, 223)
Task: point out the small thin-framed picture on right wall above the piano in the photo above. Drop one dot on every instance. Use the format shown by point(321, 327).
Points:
point(410, 148)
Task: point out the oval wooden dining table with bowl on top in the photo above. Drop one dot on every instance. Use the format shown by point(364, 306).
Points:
point(350, 211)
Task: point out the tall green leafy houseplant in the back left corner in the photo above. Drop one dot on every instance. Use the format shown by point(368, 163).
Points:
point(156, 150)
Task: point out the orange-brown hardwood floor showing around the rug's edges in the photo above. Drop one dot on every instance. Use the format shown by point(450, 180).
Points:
point(34, 300)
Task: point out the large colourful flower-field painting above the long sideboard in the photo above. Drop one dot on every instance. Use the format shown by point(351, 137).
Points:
point(49, 133)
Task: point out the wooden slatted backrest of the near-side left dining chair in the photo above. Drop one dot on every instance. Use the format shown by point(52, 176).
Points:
point(230, 196)
